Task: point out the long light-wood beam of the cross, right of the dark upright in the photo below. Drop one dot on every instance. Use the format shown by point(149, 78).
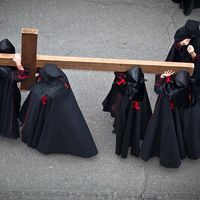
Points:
point(103, 64)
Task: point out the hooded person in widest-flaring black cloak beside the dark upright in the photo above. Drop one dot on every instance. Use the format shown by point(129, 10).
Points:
point(53, 122)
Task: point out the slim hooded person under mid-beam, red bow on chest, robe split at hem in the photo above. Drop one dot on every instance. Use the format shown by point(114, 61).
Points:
point(133, 114)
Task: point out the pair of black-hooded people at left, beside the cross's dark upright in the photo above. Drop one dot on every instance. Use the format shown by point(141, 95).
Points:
point(50, 118)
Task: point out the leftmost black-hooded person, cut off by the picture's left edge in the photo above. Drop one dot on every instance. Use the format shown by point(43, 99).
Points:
point(10, 96)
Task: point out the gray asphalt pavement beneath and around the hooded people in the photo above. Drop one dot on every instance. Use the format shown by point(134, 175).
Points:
point(135, 29)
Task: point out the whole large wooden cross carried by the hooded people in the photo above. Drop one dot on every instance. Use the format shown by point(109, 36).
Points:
point(29, 59)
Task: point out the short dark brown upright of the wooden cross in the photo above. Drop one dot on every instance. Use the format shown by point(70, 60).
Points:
point(29, 54)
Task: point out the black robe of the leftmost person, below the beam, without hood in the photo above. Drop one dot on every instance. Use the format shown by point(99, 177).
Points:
point(9, 103)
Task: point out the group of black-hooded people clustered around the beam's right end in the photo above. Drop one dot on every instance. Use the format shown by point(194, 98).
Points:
point(172, 131)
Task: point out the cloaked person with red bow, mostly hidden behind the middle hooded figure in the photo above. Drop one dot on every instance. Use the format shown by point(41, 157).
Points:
point(111, 102)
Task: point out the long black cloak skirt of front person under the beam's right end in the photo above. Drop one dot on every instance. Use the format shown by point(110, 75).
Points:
point(160, 138)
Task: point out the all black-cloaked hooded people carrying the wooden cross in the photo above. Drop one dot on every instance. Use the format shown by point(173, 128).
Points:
point(51, 121)
